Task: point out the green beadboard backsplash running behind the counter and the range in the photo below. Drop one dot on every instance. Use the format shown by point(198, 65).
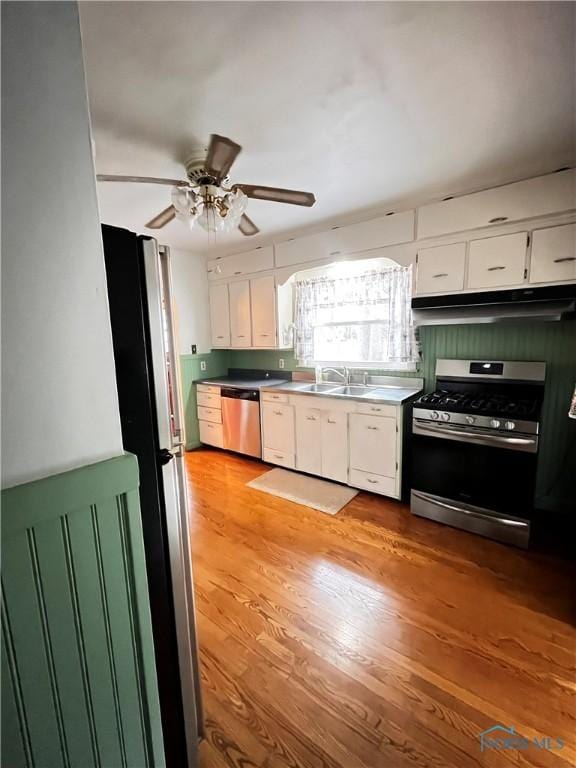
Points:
point(554, 343)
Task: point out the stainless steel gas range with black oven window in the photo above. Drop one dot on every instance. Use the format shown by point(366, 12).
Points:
point(475, 447)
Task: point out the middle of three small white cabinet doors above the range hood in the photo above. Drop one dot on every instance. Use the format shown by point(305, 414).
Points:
point(495, 262)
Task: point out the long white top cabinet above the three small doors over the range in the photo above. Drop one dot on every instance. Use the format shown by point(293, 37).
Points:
point(541, 196)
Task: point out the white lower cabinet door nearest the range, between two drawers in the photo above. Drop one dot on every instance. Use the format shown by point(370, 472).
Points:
point(373, 444)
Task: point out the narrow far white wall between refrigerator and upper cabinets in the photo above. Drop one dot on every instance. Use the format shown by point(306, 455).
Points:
point(191, 298)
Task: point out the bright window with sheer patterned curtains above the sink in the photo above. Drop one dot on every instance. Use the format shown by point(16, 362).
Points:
point(356, 312)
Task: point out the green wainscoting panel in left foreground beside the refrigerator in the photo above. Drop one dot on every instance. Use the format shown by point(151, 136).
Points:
point(79, 682)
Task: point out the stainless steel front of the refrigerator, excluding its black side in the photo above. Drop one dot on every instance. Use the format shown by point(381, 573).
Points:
point(170, 433)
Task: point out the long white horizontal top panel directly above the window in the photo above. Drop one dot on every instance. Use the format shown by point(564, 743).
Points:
point(354, 238)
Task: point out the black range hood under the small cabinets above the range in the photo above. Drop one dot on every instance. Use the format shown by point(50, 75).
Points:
point(555, 302)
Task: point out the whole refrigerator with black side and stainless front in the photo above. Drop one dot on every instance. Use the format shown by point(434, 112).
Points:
point(140, 299)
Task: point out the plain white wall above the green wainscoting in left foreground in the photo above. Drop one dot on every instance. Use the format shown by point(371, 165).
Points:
point(60, 407)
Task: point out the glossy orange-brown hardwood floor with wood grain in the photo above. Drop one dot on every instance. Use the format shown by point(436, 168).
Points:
point(371, 639)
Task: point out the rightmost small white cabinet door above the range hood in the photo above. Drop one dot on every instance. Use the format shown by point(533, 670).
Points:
point(553, 254)
